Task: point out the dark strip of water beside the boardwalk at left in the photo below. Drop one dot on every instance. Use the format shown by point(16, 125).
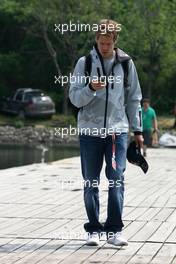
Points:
point(14, 155)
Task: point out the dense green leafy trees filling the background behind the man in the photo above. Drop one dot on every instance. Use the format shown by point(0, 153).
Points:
point(32, 52)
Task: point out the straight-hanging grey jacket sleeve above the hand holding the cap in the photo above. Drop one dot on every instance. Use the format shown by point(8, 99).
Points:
point(133, 100)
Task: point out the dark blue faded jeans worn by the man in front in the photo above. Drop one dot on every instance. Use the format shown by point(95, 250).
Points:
point(93, 150)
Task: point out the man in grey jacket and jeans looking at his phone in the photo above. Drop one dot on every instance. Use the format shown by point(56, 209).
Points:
point(108, 106)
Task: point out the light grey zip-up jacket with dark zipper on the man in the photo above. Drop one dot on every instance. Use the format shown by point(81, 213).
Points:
point(113, 109)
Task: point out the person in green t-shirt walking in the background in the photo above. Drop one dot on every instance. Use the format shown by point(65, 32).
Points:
point(149, 124)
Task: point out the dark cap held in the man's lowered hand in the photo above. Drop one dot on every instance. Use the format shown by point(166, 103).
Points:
point(135, 157)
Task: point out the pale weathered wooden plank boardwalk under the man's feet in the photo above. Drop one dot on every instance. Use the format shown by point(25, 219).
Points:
point(42, 214)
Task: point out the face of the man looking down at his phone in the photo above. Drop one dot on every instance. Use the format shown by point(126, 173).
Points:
point(105, 46)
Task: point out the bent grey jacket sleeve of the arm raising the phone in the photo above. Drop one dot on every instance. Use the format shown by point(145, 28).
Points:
point(79, 93)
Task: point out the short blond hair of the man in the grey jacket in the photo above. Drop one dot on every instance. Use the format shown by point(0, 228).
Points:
point(109, 28)
